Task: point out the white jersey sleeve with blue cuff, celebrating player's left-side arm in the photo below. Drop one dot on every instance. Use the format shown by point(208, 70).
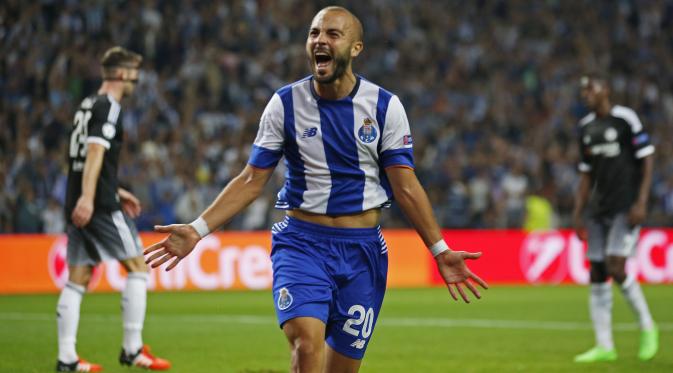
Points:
point(268, 146)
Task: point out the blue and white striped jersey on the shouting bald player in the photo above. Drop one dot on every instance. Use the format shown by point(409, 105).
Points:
point(335, 150)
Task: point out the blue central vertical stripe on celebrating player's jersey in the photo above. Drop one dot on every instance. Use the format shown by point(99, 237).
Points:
point(348, 180)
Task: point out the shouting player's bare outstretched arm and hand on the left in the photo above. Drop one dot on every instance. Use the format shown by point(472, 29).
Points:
point(182, 238)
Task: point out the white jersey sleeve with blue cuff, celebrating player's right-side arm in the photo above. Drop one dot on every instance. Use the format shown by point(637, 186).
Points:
point(396, 140)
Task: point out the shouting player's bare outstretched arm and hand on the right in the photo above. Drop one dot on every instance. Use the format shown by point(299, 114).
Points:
point(414, 202)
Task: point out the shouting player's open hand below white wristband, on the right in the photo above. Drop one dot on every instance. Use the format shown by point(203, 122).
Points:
point(454, 271)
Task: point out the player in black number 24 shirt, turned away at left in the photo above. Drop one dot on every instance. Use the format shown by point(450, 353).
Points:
point(98, 212)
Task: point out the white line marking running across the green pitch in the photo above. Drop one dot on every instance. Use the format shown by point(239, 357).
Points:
point(390, 321)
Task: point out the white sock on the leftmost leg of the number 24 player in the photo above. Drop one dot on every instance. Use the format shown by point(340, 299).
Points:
point(67, 320)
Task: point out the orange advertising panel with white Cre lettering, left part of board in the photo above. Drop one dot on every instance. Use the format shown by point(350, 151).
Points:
point(221, 261)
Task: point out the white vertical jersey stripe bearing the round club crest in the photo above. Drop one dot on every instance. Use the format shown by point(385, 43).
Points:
point(363, 103)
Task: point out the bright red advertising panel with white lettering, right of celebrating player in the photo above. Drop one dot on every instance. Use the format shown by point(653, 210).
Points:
point(514, 256)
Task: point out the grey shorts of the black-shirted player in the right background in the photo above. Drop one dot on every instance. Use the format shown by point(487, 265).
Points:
point(611, 236)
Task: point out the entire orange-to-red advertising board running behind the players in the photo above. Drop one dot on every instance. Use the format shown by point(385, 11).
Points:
point(240, 260)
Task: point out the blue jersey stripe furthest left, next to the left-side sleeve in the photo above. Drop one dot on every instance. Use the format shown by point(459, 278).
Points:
point(293, 192)
